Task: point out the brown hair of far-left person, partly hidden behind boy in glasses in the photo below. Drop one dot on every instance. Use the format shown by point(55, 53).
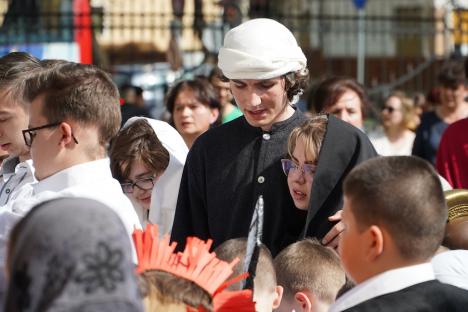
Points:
point(14, 69)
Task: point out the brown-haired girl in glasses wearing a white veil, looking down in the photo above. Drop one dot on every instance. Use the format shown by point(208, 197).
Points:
point(147, 157)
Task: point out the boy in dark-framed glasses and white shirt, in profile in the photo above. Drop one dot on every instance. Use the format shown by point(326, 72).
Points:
point(74, 113)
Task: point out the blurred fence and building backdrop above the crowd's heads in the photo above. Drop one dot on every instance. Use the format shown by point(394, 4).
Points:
point(386, 44)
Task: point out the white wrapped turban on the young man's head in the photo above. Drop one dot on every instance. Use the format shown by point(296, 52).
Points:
point(260, 49)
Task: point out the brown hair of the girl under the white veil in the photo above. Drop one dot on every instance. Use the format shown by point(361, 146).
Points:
point(137, 141)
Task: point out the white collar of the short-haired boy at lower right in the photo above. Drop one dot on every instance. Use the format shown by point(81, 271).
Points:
point(384, 283)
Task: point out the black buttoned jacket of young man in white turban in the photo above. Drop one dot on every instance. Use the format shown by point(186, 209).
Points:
point(226, 170)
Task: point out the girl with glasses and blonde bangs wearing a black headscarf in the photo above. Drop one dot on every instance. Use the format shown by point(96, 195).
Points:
point(321, 152)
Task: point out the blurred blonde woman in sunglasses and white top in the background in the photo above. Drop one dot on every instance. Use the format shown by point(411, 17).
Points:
point(399, 121)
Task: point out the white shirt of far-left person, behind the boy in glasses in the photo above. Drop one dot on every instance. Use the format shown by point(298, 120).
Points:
point(14, 175)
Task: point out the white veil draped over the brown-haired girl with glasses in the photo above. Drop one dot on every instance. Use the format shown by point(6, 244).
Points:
point(166, 189)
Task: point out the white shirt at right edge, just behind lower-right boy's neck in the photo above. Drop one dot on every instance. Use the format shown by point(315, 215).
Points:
point(451, 267)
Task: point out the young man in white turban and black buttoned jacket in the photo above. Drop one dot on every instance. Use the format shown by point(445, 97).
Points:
point(230, 166)
